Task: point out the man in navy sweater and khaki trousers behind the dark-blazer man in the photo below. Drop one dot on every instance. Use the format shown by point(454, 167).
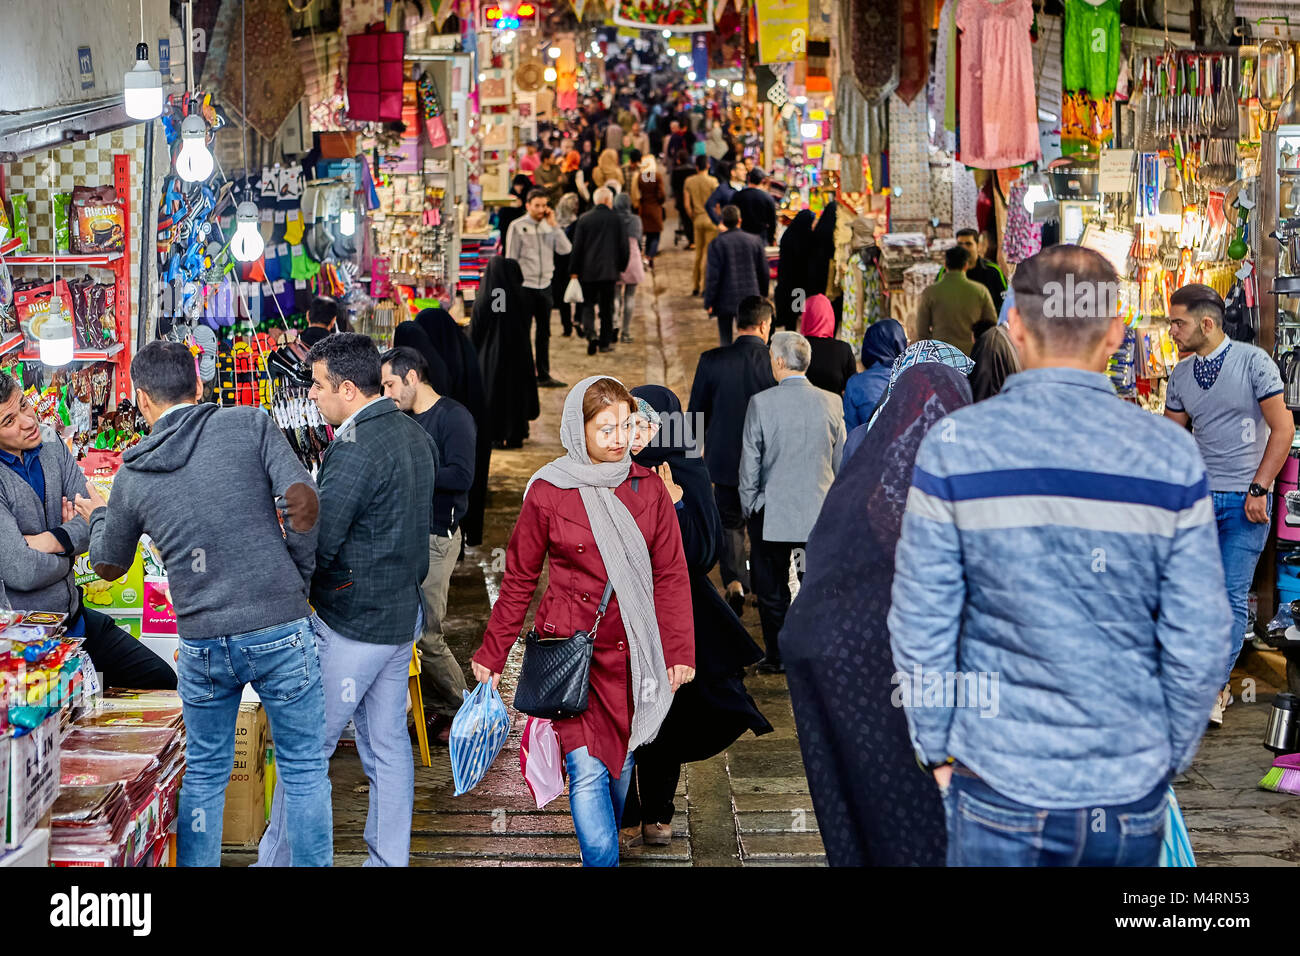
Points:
point(406, 382)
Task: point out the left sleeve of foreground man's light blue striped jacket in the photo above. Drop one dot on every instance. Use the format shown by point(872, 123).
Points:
point(929, 595)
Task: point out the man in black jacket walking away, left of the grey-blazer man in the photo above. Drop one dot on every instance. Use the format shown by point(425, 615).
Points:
point(726, 379)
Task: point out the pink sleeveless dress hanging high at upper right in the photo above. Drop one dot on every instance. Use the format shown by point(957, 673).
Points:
point(999, 116)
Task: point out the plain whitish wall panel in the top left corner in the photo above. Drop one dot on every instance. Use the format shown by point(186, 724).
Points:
point(40, 41)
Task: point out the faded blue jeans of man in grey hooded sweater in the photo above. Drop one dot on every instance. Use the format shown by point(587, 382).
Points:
point(285, 671)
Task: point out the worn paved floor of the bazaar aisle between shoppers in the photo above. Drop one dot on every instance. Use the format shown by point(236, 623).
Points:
point(749, 806)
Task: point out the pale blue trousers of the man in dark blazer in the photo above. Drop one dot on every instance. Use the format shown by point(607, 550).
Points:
point(365, 684)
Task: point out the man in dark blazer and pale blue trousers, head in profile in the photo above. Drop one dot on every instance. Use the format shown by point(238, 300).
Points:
point(376, 488)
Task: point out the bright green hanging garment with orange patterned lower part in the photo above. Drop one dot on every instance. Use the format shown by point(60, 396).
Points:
point(1090, 72)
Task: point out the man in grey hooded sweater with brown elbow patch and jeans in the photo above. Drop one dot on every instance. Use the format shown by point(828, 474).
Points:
point(240, 587)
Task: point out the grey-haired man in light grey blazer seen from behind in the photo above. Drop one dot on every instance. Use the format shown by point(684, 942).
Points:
point(791, 453)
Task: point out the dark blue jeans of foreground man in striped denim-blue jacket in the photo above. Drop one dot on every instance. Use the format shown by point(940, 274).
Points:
point(987, 829)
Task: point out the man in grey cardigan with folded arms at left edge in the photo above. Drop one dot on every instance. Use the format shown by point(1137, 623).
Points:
point(41, 537)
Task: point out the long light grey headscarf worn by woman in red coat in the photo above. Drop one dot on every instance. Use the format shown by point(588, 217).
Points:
point(625, 555)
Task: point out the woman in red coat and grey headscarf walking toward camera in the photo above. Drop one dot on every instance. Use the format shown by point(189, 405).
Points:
point(601, 518)
